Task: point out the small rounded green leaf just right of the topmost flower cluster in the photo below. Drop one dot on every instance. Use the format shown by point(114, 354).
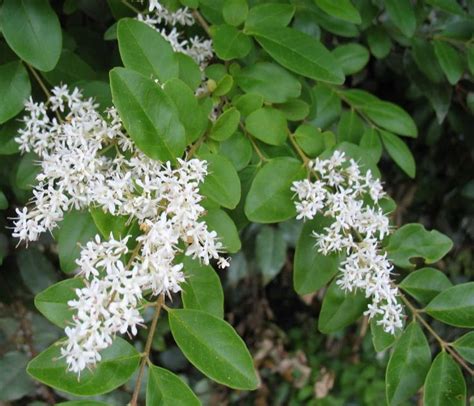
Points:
point(230, 43)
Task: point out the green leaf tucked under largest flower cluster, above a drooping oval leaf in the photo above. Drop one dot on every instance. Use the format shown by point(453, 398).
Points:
point(202, 289)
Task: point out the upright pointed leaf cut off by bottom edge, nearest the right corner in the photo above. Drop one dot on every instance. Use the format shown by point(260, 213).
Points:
point(444, 383)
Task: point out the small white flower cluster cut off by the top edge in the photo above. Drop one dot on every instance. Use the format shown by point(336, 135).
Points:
point(196, 47)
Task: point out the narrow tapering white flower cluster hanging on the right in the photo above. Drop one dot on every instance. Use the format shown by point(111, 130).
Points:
point(339, 192)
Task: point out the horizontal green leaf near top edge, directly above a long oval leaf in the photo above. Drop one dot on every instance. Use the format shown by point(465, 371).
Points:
point(269, 14)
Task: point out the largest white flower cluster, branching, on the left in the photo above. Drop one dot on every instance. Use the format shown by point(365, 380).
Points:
point(88, 161)
